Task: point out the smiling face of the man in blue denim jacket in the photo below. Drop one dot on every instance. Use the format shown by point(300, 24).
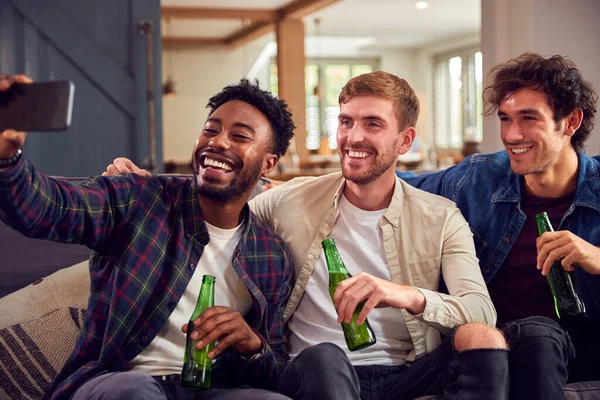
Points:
point(533, 141)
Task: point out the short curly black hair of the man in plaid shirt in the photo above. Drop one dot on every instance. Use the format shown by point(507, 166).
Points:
point(274, 109)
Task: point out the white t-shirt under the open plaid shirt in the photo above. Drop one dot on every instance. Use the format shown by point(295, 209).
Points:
point(164, 355)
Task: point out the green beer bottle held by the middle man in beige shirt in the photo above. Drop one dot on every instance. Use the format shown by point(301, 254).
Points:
point(357, 336)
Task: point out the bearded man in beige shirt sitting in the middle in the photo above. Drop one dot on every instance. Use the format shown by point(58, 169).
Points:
point(398, 242)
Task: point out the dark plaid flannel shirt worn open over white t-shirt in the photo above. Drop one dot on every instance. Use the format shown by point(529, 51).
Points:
point(148, 235)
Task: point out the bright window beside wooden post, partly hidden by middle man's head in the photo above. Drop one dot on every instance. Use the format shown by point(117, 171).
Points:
point(324, 79)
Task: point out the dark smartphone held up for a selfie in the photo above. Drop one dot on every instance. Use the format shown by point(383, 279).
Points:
point(40, 106)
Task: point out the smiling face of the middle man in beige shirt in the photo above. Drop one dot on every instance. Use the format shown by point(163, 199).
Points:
point(369, 138)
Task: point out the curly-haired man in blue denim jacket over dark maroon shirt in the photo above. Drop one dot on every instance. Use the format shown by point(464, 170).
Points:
point(546, 112)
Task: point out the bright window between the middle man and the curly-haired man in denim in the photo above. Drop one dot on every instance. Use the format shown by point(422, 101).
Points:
point(458, 99)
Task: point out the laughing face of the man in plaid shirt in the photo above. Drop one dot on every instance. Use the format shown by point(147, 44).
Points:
point(232, 152)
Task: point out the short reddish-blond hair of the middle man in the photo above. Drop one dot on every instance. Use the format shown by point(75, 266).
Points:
point(384, 84)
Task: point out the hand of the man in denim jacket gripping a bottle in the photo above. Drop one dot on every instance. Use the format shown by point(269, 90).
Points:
point(573, 250)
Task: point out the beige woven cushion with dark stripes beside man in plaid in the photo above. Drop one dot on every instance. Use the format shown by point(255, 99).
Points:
point(39, 326)
